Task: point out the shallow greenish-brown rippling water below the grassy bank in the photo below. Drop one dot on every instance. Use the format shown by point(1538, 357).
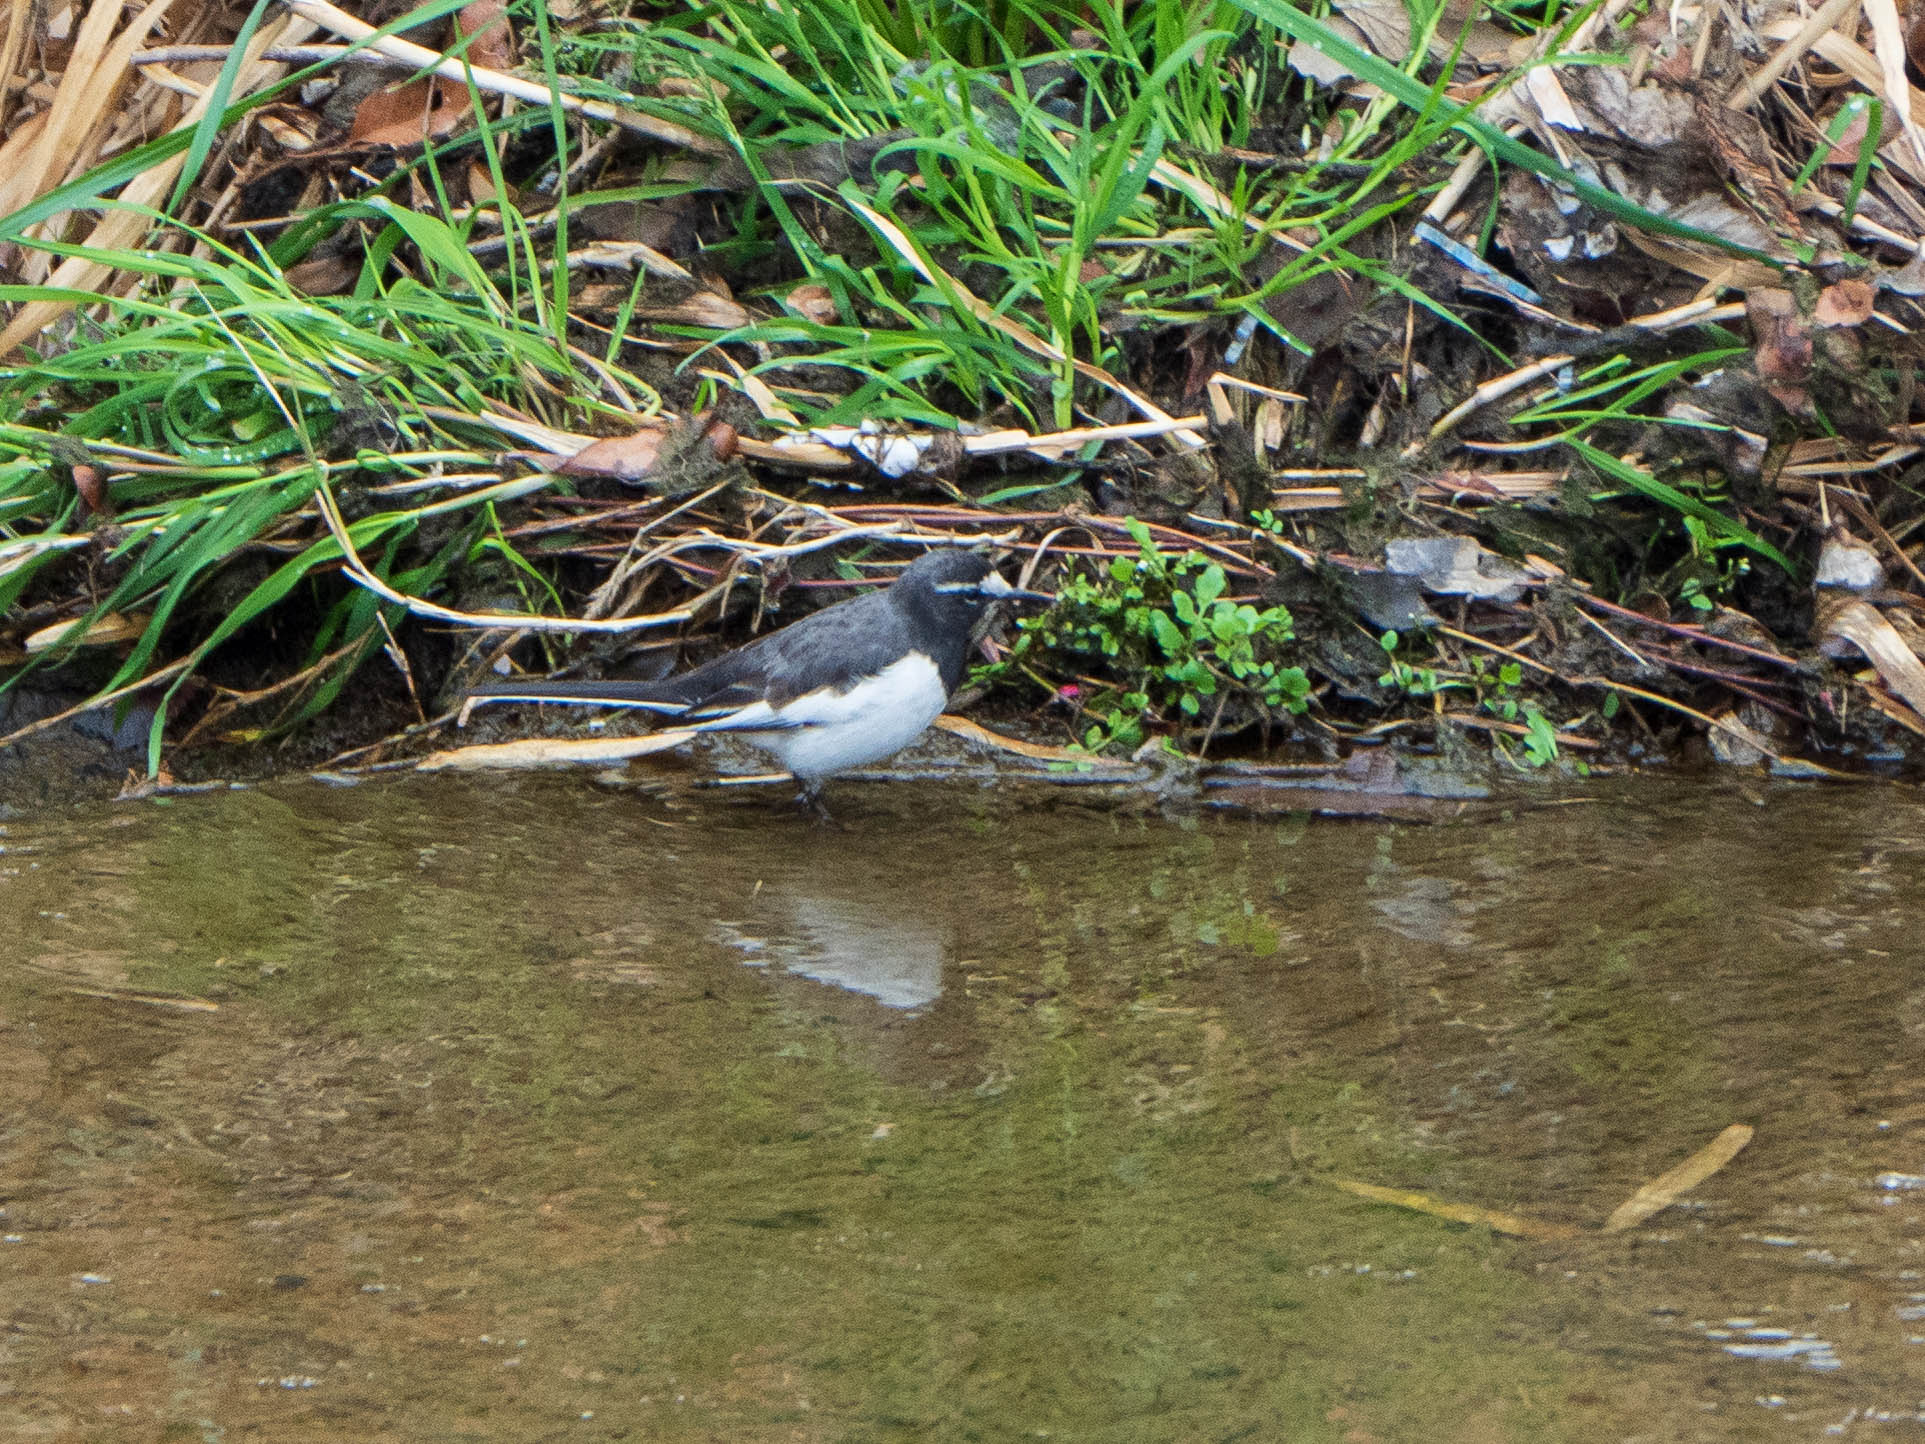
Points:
point(538, 1112)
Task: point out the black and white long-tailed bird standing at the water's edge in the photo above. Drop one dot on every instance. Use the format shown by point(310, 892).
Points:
point(838, 690)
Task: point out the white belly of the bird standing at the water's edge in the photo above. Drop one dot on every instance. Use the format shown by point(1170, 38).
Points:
point(852, 729)
